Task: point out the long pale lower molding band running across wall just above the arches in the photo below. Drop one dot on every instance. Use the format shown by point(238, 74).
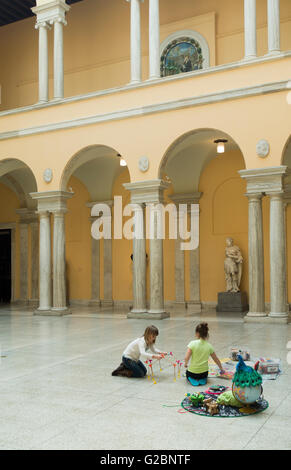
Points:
point(152, 109)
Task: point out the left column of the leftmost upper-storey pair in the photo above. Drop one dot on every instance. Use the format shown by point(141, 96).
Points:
point(43, 73)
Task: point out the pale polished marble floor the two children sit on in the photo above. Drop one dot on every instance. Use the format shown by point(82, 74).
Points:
point(57, 391)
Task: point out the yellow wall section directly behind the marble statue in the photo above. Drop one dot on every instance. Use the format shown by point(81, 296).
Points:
point(224, 213)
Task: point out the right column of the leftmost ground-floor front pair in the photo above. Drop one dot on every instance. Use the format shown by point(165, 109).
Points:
point(59, 263)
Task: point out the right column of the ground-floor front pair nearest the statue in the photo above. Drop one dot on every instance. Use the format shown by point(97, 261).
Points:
point(278, 275)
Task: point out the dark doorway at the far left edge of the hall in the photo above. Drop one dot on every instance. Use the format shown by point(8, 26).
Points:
point(5, 266)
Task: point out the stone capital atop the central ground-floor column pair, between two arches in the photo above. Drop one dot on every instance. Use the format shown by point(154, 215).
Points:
point(147, 192)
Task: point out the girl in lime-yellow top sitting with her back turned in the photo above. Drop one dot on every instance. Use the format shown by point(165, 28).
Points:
point(199, 351)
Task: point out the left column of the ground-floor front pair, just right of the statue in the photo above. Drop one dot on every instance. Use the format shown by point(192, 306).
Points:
point(256, 257)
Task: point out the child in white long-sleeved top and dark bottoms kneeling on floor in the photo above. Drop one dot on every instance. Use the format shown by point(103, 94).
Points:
point(131, 365)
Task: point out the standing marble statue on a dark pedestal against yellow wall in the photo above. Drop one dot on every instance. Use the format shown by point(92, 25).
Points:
point(232, 266)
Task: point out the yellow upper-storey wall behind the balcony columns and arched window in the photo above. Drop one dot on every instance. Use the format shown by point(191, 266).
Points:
point(97, 43)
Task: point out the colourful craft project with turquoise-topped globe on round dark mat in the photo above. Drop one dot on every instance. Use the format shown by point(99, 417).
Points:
point(245, 398)
